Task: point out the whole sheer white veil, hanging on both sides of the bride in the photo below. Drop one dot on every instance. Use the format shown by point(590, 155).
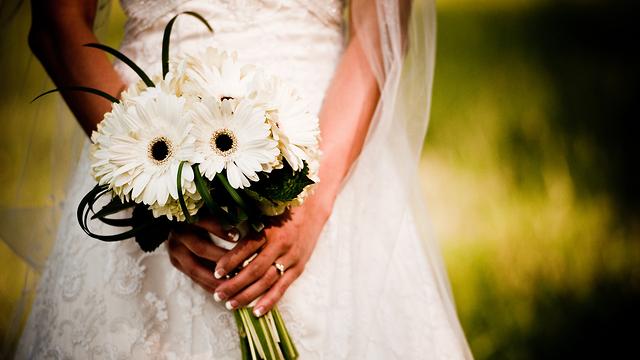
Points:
point(399, 40)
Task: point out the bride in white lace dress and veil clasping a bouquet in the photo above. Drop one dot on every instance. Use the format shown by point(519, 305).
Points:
point(363, 275)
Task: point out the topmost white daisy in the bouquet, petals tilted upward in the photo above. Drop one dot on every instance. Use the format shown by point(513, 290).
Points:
point(213, 74)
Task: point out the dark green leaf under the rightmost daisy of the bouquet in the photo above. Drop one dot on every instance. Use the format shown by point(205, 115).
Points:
point(282, 184)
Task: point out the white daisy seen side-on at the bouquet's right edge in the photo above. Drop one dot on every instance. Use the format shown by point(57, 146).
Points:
point(295, 128)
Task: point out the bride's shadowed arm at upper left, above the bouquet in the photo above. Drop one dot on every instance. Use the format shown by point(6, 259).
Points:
point(59, 30)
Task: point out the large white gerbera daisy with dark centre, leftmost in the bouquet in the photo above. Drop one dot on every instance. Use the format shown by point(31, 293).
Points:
point(138, 150)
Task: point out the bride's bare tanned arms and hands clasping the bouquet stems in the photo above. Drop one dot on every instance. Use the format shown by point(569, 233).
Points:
point(60, 29)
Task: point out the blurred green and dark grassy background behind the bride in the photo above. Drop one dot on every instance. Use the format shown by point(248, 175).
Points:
point(530, 168)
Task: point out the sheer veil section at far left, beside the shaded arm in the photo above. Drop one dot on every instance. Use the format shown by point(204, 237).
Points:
point(40, 146)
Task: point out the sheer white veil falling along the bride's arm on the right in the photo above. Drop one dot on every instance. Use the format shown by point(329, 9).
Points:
point(400, 47)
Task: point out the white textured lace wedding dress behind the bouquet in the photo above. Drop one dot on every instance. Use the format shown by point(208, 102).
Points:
point(371, 289)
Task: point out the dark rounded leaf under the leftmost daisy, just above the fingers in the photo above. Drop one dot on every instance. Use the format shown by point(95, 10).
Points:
point(155, 235)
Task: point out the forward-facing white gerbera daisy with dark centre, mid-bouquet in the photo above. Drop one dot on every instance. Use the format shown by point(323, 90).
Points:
point(237, 140)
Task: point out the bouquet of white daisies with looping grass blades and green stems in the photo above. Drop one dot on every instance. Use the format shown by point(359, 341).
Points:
point(210, 135)
